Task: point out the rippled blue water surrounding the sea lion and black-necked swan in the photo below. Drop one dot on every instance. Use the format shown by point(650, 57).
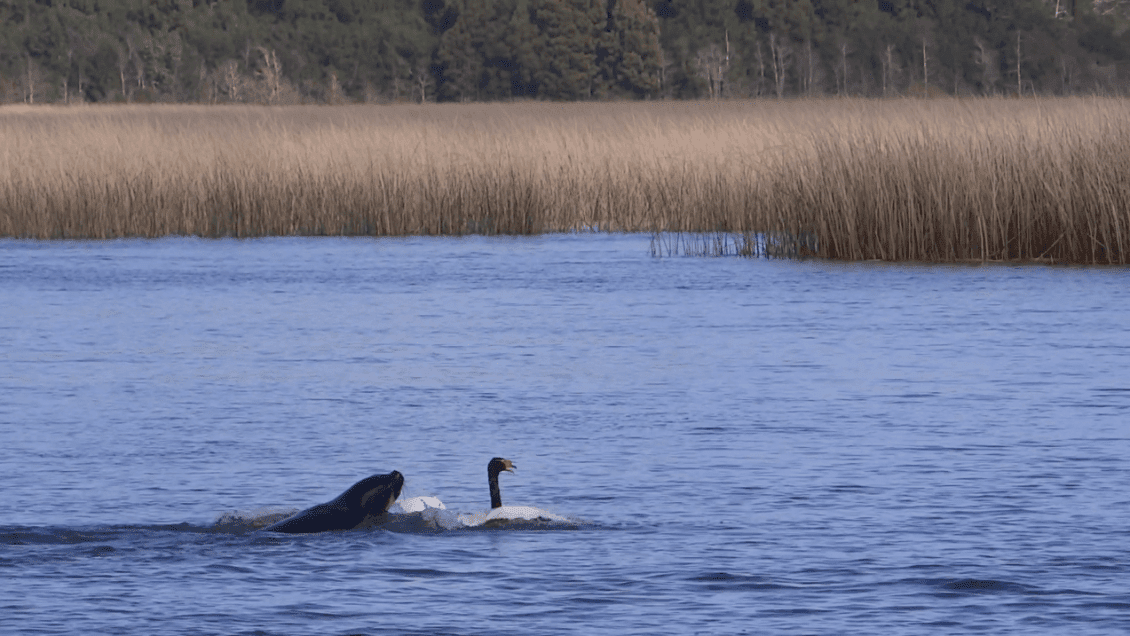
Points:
point(747, 447)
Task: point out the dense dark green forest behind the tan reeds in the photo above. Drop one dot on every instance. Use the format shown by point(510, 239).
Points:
point(336, 51)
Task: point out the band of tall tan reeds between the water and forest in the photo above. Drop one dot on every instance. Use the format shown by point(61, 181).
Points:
point(1038, 180)
